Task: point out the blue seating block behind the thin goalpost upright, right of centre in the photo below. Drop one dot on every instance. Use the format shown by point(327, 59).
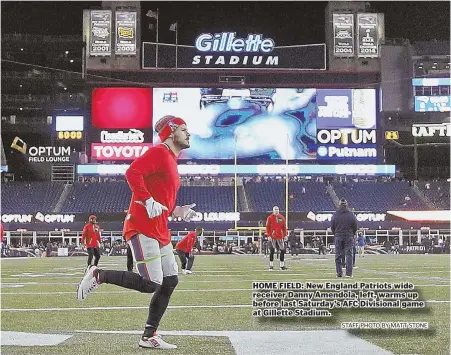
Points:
point(263, 196)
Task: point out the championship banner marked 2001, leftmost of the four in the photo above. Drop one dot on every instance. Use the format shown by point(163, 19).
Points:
point(100, 39)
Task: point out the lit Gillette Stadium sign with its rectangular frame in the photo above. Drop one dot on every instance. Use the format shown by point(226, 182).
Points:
point(229, 50)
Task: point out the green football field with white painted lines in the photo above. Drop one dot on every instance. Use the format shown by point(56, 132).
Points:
point(211, 311)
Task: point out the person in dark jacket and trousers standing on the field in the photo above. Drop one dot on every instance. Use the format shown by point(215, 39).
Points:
point(344, 227)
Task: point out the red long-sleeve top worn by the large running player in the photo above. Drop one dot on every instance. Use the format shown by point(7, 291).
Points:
point(153, 174)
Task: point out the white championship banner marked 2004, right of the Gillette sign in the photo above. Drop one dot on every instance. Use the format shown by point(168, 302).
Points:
point(343, 26)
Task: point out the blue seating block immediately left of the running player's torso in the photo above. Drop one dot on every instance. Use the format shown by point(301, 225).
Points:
point(98, 197)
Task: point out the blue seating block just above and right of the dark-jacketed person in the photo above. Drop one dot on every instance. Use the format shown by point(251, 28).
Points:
point(379, 196)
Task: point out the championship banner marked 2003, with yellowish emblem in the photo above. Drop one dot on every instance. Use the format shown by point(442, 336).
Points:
point(125, 33)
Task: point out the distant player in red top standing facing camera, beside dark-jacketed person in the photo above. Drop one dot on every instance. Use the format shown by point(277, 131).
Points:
point(276, 229)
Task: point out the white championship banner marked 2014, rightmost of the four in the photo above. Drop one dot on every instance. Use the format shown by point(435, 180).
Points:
point(368, 39)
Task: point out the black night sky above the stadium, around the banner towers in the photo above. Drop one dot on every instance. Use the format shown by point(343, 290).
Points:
point(288, 23)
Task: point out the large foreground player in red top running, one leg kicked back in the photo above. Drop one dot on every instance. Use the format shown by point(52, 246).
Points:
point(154, 181)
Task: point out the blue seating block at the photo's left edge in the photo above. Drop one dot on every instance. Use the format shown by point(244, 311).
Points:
point(30, 197)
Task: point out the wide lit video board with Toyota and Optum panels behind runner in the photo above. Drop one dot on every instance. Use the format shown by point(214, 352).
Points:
point(249, 123)
